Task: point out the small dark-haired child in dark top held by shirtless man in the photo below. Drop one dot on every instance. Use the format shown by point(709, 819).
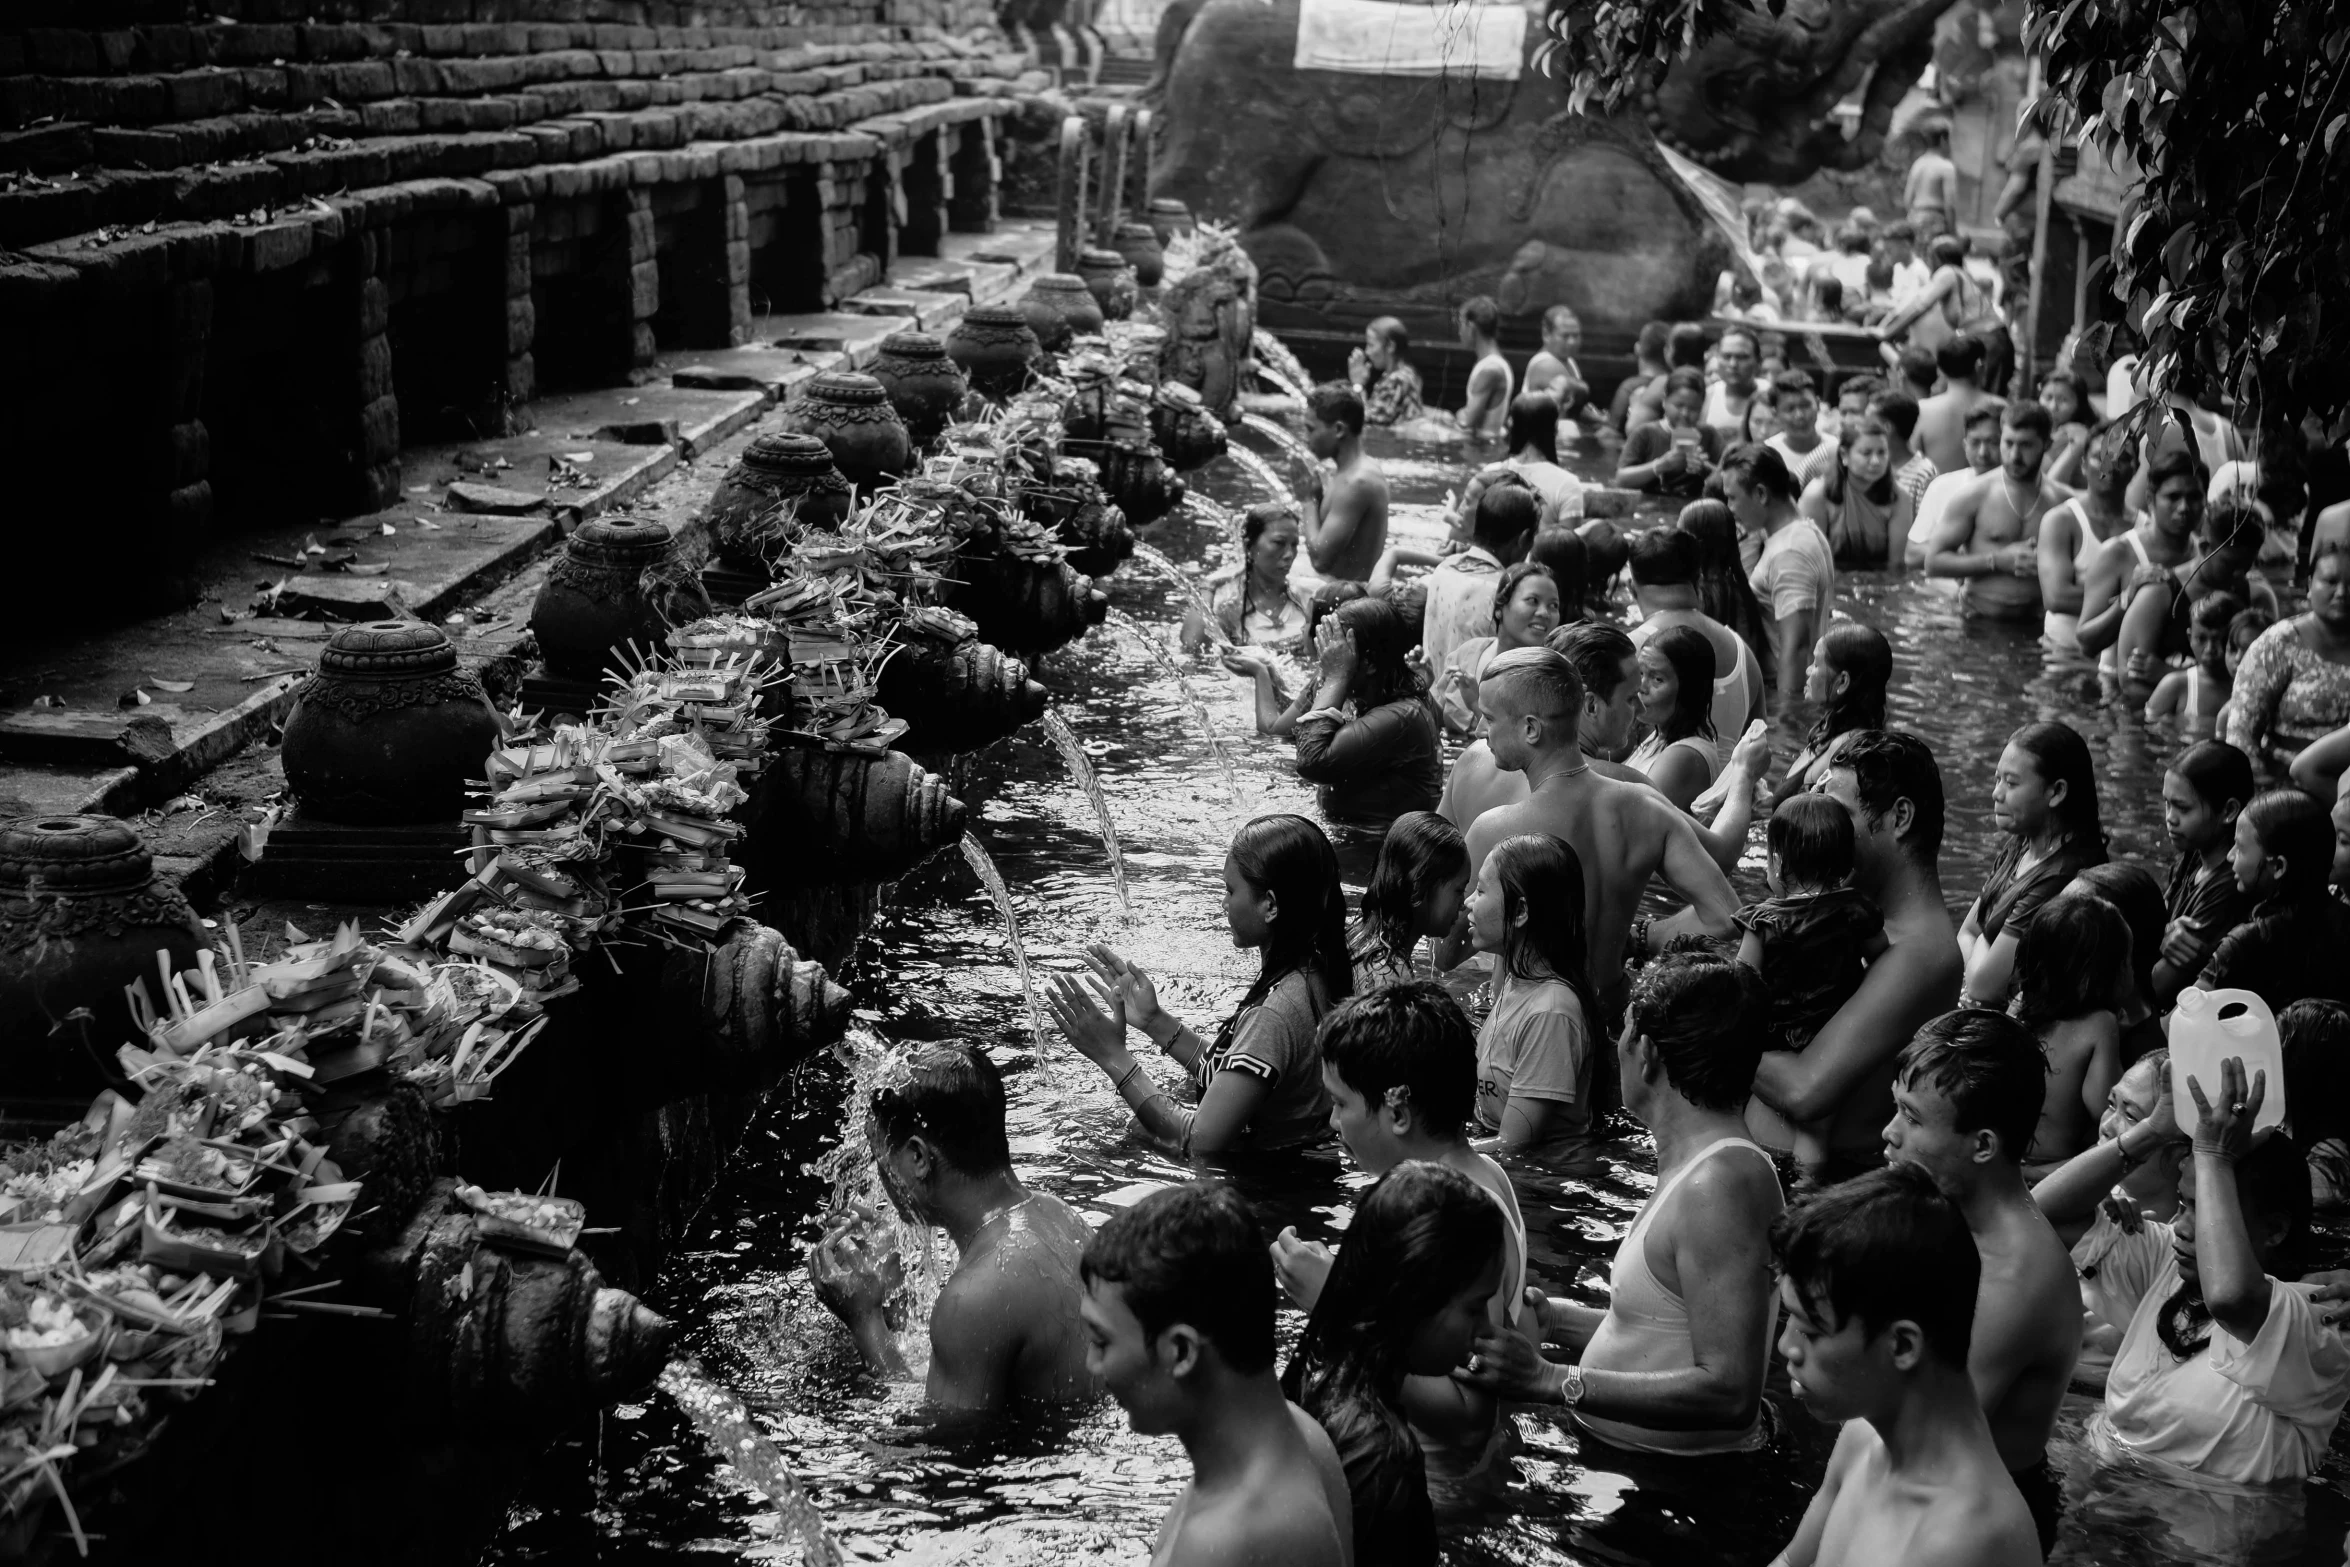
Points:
point(1813, 936)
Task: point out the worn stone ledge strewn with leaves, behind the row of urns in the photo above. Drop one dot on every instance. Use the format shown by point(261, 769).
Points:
point(464, 549)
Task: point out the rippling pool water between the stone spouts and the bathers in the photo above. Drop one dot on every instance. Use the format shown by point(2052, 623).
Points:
point(1080, 1488)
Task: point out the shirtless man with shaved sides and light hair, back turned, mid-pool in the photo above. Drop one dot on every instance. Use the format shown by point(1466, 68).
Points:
point(1623, 833)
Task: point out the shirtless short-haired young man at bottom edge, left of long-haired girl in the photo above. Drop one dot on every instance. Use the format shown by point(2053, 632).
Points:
point(1181, 1329)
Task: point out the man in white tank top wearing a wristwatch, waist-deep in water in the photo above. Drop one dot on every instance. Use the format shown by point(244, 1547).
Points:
point(1677, 1359)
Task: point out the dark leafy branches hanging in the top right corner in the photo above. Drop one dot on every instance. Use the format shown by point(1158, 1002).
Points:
point(2236, 241)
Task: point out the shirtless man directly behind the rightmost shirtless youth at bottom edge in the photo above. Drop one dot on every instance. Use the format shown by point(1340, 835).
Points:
point(1966, 1110)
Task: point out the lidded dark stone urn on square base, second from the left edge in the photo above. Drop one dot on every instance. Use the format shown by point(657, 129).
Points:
point(389, 729)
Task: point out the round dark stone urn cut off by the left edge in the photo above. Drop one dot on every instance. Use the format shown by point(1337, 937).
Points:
point(81, 917)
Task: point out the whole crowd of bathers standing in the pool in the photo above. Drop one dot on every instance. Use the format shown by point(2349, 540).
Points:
point(1942, 1171)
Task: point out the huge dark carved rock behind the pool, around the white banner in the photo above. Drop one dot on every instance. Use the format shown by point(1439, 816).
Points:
point(1421, 189)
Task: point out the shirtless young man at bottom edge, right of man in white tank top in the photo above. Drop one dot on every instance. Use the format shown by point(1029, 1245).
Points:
point(1879, 1282)
